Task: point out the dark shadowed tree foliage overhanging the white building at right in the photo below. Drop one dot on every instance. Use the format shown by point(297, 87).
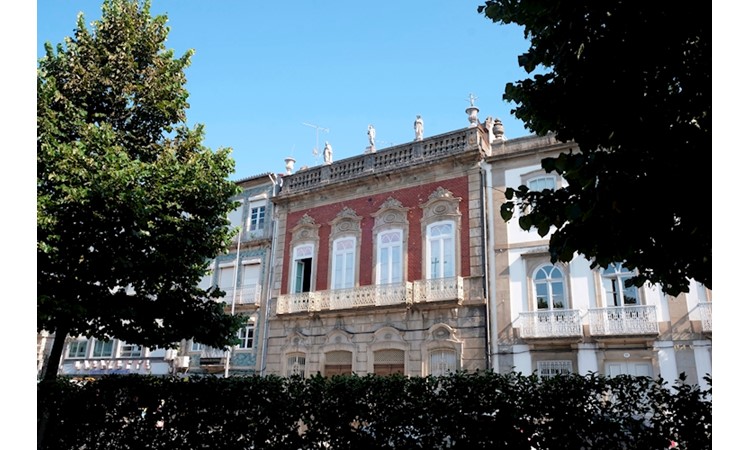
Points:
point(630, 83)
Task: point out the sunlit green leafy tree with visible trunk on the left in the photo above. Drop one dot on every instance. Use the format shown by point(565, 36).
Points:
point(130, 204)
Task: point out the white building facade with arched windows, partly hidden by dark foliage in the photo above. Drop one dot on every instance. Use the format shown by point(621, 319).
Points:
point(596, 324)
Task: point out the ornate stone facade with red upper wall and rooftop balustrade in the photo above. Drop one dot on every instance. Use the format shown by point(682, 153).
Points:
point(419, 321)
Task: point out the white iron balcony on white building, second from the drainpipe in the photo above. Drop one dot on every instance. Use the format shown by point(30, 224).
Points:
point(623, 320)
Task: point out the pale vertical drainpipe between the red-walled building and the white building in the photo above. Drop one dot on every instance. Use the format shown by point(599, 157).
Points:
point(490, 277)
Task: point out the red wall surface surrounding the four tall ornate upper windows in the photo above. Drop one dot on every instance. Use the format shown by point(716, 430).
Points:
point(365, 206)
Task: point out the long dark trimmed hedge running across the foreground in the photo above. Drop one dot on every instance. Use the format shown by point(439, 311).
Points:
point(462, 411)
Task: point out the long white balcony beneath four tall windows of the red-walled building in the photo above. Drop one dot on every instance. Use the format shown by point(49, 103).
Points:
point(373, 295)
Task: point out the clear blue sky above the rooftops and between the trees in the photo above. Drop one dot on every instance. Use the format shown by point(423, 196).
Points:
point(261, 70)
